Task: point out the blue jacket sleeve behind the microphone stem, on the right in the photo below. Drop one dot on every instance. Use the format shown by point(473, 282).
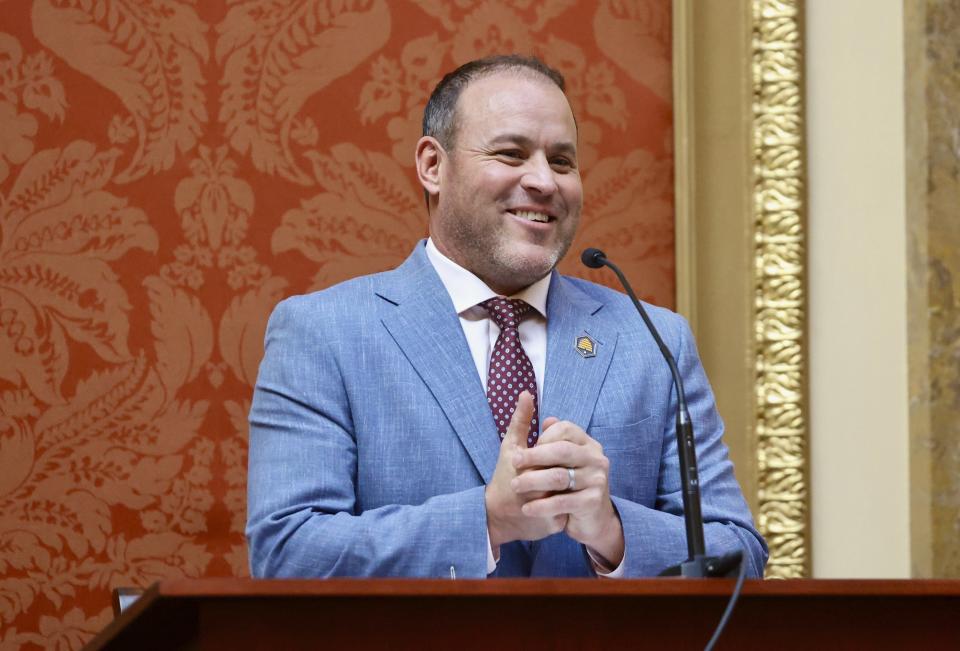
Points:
point(656, 537)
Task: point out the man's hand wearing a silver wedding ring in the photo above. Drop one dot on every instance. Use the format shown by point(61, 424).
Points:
point(544, 468)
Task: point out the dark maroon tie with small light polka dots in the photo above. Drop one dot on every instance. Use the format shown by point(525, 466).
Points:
point(510, 369)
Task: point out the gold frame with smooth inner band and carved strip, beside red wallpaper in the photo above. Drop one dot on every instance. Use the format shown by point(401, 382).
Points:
point(740, 196)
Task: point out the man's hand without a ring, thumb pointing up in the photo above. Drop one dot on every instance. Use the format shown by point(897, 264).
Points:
point(505, 520)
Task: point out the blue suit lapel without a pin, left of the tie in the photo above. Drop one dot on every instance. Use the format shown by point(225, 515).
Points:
point(427, 330)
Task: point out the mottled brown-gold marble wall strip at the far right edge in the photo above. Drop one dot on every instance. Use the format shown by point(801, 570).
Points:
point(933, 223)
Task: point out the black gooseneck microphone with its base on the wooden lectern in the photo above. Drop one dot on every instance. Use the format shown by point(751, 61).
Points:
point(698, 564)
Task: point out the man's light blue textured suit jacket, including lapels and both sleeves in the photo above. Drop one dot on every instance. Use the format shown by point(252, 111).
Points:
point(371, 439)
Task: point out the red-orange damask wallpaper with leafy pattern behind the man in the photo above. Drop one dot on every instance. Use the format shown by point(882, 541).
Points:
point(168, 171)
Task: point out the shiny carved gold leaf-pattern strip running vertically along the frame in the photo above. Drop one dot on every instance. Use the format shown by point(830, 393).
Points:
point(779, 286)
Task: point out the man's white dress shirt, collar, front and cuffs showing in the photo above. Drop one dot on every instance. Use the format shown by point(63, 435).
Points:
point(467, 292)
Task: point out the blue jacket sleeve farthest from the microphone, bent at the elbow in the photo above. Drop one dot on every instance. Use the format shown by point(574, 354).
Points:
point(304, 519)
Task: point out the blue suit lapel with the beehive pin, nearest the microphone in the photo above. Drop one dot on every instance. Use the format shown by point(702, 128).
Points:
point(573, 382)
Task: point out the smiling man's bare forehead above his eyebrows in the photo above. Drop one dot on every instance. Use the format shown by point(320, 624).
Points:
point(509, 101)
